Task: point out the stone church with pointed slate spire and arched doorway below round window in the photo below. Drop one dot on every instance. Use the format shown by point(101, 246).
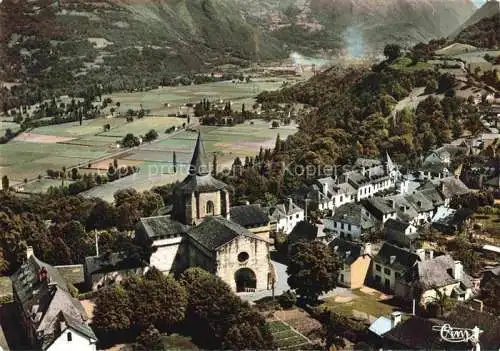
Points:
point(199, 233)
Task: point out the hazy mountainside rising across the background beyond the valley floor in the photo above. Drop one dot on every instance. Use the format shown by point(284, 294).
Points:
point(129, 43)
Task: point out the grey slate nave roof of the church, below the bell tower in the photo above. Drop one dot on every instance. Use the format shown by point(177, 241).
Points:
point(215, 232)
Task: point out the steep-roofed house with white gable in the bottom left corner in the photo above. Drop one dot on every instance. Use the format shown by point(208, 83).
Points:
point(51, 317)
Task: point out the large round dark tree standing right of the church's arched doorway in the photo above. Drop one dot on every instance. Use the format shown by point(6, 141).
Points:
point(312, 269)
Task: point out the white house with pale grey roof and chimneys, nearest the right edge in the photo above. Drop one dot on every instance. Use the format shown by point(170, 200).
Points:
point(441, 275)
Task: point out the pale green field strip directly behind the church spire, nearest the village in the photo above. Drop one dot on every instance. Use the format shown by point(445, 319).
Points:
point(155, 160)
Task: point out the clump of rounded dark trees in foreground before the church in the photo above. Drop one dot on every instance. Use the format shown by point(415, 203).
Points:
point(198, 304)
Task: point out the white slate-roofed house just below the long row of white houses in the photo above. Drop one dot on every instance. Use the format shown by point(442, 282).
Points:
point(350, 221)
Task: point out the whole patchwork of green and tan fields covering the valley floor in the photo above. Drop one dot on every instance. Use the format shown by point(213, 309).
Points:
point(69, 144)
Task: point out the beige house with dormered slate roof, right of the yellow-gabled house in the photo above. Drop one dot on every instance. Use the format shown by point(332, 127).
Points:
point(390, 264)
